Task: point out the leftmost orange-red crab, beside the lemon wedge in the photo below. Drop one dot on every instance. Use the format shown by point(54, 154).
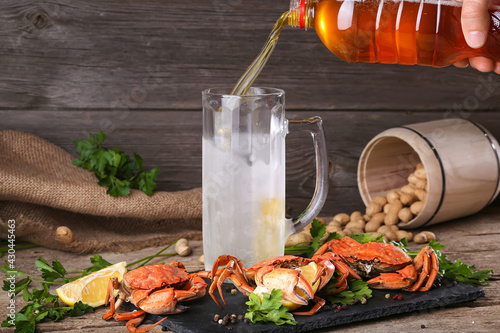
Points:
point(154, 289)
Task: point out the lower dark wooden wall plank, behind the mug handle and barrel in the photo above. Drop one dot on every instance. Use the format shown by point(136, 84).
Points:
point(172, 141)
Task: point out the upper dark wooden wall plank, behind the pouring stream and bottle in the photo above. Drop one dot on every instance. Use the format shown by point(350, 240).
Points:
point(150, 54)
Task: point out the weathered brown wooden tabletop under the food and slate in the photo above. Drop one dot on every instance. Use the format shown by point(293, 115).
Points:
point(474, 239)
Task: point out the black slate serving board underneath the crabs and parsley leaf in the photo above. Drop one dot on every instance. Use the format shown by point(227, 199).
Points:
point(199, 317)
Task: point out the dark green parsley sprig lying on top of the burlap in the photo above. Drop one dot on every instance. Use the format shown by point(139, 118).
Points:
point(113, 168)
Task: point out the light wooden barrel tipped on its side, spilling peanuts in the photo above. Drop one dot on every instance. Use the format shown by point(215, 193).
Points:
point(461, 159)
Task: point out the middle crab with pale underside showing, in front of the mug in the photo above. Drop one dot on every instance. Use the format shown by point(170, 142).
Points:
point(280, 273)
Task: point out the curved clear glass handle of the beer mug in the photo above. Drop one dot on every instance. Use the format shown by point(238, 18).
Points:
point(314, 125)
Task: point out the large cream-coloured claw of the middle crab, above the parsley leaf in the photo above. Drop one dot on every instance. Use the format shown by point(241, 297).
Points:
point(288, 280)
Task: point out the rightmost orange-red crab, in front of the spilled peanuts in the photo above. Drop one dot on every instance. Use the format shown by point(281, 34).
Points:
point(388, 266)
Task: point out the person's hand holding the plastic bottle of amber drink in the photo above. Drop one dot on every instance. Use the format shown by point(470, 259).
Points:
point(475, 25)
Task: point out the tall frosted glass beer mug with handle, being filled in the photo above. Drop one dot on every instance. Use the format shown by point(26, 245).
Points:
point(244, 174)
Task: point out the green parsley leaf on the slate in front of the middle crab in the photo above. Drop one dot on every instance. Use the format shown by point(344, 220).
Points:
point(270, 309)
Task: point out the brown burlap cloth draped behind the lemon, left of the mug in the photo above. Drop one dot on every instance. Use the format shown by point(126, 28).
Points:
point(41, 190)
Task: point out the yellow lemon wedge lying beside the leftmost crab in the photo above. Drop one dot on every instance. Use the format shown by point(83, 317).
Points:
point(91, 289)
